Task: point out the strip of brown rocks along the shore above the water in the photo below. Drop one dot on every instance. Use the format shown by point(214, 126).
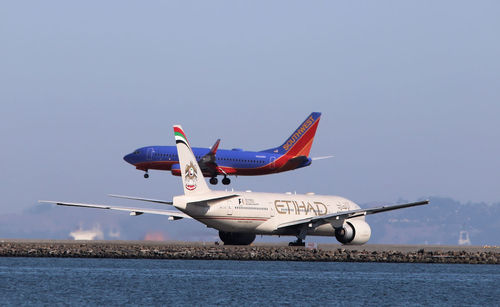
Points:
point(261, 252)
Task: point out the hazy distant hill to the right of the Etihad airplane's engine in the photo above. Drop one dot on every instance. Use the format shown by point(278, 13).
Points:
point(440, 222)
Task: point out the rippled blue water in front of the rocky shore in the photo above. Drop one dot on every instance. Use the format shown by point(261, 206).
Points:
point(44, 281)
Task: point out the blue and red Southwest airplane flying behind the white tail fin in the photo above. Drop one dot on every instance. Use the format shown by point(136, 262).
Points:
point(292, 154)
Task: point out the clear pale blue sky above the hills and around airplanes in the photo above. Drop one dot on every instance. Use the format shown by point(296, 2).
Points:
point(409, 93)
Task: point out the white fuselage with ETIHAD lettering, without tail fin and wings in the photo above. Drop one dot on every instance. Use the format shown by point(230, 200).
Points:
point(262, 213)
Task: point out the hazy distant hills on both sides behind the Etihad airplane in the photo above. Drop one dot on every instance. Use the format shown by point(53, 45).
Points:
point(437, 223)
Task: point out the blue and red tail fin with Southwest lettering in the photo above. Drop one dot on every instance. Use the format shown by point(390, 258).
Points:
point(300, 142)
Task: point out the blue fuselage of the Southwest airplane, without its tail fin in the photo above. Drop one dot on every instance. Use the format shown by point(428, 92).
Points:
point(230, 162)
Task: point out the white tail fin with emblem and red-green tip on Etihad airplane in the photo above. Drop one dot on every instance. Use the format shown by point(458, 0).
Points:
point(192, 178)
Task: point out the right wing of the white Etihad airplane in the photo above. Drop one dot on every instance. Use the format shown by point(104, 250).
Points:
point(344, 215)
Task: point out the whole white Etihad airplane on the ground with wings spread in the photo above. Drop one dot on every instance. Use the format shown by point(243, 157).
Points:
point(240, 216)
